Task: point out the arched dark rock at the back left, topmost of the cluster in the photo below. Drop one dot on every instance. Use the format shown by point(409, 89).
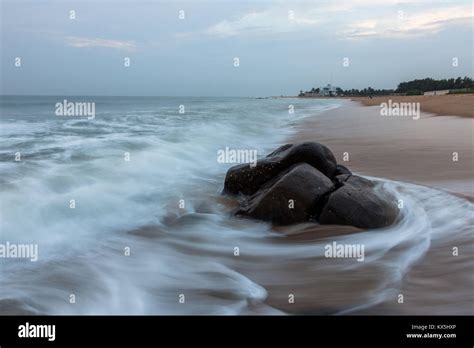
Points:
point(247, 180)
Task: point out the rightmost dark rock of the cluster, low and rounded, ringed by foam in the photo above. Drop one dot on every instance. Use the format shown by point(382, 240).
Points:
point(357, 203)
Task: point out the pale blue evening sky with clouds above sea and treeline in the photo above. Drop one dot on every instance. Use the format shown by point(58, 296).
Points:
point(191, 48)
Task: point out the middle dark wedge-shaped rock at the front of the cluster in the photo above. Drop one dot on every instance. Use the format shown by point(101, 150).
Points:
point(303, 184)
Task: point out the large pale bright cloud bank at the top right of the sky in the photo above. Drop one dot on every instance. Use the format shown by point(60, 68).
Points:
point(347, 19)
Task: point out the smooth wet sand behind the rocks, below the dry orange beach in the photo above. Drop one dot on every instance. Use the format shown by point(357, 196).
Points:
point(398, 148)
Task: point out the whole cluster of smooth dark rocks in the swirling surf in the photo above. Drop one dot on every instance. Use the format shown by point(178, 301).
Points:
point(303, 182)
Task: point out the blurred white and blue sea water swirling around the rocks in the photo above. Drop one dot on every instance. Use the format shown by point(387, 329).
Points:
point(128, 247)
